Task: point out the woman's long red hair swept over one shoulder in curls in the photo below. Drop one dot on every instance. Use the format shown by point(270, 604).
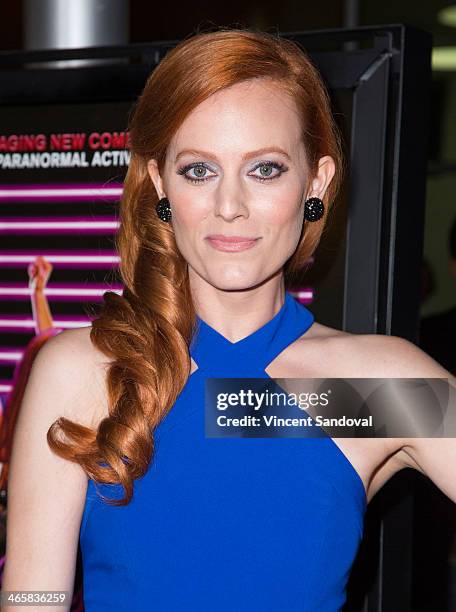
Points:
point(146, 331)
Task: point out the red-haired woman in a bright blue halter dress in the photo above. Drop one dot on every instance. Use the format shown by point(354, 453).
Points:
point(235, 164)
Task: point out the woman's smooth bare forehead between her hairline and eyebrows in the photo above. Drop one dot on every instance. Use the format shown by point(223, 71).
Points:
point(248, 115)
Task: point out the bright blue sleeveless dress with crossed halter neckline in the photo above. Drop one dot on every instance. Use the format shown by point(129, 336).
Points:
point(226, 524)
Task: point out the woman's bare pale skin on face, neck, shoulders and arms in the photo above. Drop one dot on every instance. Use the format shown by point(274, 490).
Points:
point(235, 293)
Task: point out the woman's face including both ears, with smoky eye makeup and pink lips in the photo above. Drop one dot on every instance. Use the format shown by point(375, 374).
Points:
point(237, 168)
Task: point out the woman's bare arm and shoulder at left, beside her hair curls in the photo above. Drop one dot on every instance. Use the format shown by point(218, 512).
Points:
point(46, 494)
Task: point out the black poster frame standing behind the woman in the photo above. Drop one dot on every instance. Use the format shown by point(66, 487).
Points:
point(388, 70)
